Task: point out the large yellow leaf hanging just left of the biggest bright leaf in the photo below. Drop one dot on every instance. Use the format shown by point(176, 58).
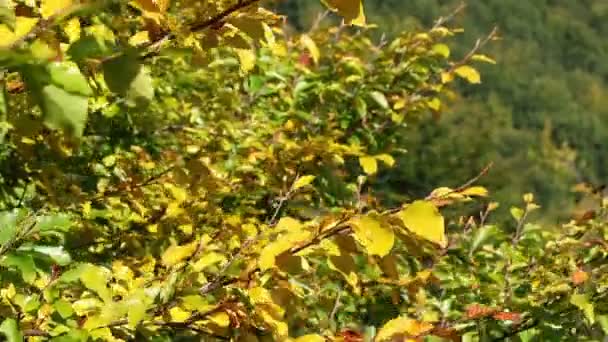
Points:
point(377, 238)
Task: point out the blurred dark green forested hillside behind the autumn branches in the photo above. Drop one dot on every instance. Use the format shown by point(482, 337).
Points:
point(541, 114)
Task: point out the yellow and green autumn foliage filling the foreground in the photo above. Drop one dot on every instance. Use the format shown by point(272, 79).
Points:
point(178, 171)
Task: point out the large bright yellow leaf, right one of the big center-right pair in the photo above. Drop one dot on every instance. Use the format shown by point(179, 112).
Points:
point(424, 219)
